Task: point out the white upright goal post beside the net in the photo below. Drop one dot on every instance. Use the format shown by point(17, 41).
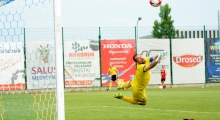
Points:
point(59, 60)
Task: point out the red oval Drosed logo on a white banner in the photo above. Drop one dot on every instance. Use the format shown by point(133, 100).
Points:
point(188, 60)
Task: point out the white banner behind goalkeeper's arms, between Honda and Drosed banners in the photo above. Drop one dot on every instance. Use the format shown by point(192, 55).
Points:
point(152, 47)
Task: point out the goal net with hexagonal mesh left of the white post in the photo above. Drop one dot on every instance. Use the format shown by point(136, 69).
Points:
point(28, 82)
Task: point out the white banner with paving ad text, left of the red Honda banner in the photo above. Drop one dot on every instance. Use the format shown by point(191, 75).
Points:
point(82, 63)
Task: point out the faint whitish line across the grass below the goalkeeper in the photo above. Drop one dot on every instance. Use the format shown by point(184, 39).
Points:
point(166, 110)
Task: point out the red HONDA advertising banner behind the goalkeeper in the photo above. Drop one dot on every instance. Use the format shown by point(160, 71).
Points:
point(119, 53)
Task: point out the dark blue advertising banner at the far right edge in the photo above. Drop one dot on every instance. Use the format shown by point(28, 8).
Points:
point(212, 60)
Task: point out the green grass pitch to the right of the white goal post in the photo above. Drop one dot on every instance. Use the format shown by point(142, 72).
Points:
point(167, 104)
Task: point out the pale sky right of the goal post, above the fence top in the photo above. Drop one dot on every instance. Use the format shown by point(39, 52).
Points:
point(125, 13)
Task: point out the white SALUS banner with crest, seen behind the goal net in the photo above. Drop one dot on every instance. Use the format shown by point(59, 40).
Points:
point(40, 60)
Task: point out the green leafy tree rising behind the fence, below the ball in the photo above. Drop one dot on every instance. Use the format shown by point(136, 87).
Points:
point(164, 28)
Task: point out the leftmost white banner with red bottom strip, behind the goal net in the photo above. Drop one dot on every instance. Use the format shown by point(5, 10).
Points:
point(12, 66)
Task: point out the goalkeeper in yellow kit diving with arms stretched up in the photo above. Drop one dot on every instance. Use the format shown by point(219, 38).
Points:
point(141, 79)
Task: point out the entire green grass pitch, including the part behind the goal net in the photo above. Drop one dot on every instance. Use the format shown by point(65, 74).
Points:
point(167, 104)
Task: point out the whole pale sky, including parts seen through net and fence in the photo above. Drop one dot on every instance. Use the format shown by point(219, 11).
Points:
point(187, 15)
